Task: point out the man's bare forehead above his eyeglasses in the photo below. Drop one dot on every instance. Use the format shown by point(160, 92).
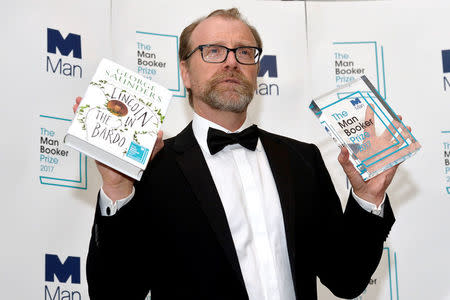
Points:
point(225, 31)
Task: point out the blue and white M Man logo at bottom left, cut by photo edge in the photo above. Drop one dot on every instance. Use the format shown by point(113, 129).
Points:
point(57, 274)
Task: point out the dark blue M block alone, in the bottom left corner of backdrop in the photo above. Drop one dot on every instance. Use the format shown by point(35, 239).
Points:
point(53, 266)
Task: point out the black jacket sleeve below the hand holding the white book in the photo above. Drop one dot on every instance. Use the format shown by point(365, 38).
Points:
point(117, 264)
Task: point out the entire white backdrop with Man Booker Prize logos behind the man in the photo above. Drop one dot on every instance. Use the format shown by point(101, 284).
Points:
point(49, 199)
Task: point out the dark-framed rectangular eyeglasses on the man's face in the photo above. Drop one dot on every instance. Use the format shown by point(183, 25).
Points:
point(218, 54)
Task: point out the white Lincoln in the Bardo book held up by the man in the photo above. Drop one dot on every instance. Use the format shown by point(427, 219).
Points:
point(118, 119)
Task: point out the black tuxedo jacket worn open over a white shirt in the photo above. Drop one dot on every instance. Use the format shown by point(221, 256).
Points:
point(173, 237)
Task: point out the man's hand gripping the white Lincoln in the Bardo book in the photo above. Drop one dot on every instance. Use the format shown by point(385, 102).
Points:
point(115, 184)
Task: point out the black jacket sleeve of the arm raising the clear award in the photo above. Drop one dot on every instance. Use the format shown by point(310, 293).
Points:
point(349, 245)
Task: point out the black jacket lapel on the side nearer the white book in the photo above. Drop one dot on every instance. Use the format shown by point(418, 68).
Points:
point(192, 163)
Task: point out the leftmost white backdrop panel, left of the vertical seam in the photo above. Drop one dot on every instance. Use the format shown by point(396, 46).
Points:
point(48, 211)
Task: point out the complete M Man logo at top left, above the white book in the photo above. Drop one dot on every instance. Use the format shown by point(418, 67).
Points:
point(64, 54)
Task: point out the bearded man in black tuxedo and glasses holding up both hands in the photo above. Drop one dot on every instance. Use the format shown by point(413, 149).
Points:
point(241, 216)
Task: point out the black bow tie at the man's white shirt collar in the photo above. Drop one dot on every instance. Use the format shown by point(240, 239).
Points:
point(217, 139)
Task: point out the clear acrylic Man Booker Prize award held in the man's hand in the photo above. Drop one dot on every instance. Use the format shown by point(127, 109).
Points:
point(358, 118)
